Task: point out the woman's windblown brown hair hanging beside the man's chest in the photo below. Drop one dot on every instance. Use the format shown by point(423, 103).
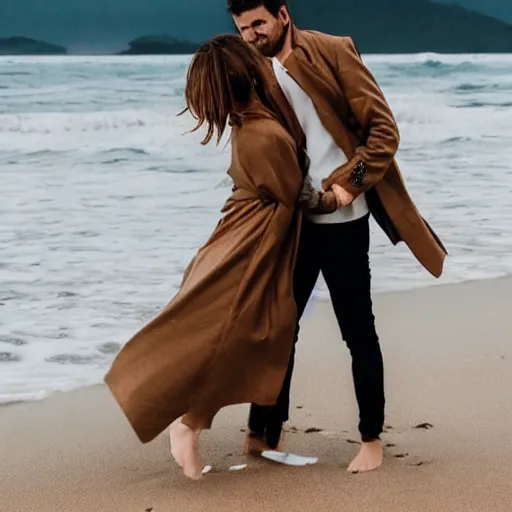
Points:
point(224, 76)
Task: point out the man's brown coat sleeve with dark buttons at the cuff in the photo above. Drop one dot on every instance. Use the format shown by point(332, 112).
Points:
point(368, 104)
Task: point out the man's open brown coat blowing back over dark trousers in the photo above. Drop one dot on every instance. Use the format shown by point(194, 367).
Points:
point(353, 109)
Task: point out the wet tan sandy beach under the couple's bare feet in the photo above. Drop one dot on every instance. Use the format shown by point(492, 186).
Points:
point(448, 357)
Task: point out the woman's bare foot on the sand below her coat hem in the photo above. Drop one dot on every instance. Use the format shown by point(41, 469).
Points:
point(184, 449)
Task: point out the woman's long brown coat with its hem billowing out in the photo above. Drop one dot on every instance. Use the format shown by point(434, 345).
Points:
point(227, 335)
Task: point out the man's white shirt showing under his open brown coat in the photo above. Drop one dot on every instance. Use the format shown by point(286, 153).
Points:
point(324, 154)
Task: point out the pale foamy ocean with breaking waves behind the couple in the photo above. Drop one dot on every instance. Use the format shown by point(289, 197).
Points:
point(105, 196)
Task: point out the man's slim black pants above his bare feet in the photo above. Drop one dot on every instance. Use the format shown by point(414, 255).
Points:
point(340, 252)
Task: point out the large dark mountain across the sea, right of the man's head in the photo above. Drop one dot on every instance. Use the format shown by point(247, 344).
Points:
point(406, 26)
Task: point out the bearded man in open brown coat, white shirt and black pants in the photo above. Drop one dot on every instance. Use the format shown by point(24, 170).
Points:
point(351, 139)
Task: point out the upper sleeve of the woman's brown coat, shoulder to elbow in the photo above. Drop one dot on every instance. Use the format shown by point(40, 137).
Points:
point(271, 163)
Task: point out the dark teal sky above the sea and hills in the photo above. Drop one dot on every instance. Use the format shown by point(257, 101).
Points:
point(107, 25)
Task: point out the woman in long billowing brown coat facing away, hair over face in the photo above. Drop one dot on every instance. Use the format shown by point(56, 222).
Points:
point(227, 335)
